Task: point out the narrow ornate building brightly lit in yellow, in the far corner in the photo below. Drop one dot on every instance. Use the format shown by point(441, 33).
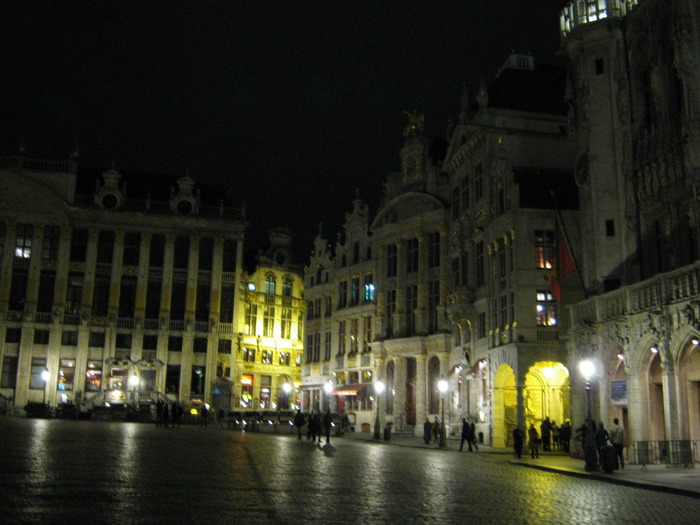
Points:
point(271, 323)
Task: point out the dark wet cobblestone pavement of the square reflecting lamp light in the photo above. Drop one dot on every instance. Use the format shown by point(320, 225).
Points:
point(78, 472)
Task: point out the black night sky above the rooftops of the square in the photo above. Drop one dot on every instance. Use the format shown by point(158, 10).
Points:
point(293, 104)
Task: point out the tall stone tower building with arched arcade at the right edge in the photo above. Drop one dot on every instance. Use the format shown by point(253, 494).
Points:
point(635, 111)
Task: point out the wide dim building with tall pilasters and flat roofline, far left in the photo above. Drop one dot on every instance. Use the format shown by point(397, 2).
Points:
point(123, 293)
